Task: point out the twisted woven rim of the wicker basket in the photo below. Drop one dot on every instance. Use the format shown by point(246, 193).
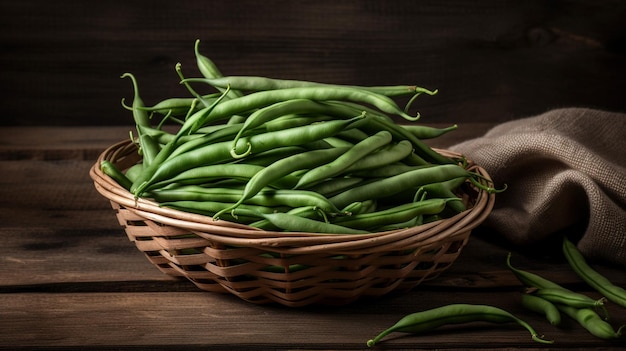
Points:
point(124, 152)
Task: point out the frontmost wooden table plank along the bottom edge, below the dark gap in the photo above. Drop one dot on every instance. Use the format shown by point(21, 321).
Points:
point(200, 321)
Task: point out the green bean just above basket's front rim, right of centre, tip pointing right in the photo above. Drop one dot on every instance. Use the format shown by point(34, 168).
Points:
point(397, 214)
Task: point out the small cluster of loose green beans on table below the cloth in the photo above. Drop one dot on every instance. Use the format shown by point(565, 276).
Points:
point(550, 299)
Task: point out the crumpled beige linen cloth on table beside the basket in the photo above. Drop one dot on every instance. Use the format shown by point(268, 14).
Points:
point(563, 168)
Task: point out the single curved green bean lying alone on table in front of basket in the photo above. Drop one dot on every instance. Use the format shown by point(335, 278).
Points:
point(423, 321)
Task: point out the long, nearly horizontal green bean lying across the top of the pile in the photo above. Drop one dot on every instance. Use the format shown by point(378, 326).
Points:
point(256, 83)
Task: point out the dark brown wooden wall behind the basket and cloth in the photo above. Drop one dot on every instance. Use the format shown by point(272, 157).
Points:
point(61, 61)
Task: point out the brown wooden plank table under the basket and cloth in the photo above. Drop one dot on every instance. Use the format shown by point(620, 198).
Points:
point(71, 280)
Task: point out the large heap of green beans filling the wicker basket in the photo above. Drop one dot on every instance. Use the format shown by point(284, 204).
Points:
point(289, 155)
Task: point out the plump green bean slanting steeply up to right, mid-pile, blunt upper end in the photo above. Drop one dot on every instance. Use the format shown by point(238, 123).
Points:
point(345, 160)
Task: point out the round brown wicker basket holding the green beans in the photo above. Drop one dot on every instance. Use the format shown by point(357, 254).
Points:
point(292, 269)
